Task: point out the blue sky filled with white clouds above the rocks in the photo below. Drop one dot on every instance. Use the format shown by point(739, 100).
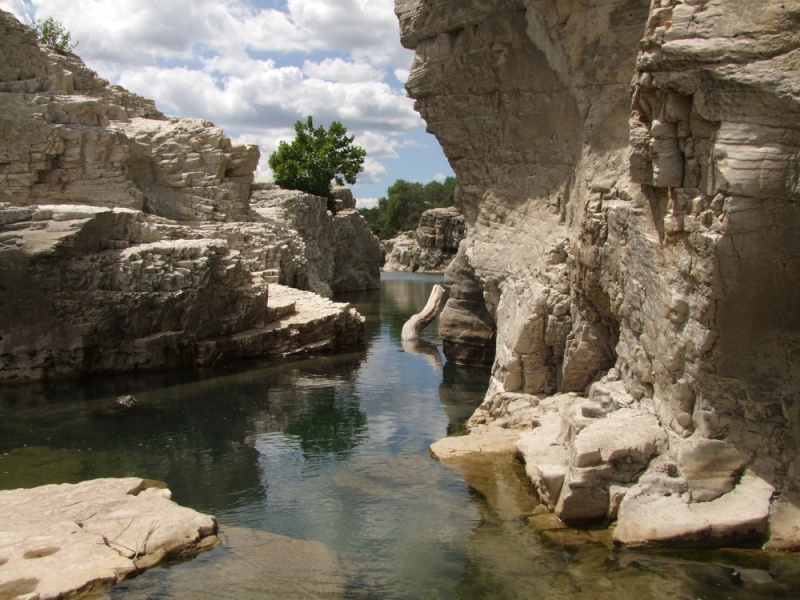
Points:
point(255, 67)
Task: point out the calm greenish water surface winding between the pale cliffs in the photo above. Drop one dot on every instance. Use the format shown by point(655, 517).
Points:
point(319, 474)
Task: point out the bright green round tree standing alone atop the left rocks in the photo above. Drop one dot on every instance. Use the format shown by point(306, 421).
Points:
point(316, 158)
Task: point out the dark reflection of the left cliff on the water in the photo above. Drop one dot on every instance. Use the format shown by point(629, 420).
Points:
point(196, 434)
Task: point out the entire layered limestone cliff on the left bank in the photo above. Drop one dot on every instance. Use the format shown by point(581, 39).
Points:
point(129, 241)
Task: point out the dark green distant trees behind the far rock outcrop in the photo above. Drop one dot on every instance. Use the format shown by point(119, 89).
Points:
point(404, 205)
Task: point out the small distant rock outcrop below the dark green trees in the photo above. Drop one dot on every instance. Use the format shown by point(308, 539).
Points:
point(431, 247)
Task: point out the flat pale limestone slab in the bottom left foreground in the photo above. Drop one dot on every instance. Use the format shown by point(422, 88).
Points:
point(57, 540)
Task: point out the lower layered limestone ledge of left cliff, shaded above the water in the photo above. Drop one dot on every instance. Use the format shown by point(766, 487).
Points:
point(90, 289)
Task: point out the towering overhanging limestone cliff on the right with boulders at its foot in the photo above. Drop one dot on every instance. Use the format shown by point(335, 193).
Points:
point(628, 174)
